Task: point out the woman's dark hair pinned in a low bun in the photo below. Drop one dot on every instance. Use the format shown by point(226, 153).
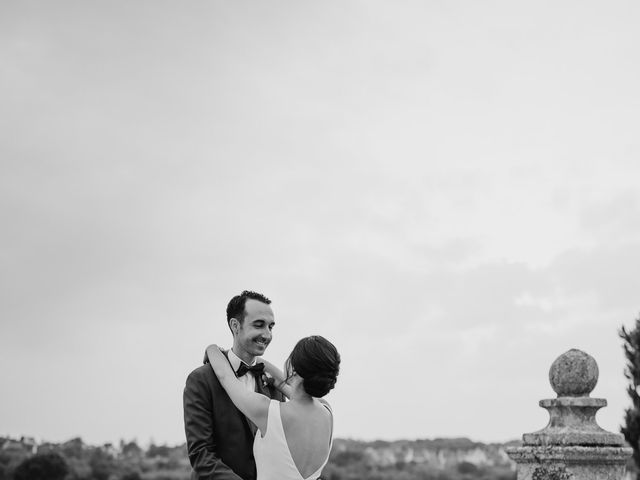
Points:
point(317, 361)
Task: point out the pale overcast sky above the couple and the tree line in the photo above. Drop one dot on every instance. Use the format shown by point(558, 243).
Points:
point(446, 190)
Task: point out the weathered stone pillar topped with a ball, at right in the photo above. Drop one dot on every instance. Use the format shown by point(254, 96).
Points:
point(572, 446)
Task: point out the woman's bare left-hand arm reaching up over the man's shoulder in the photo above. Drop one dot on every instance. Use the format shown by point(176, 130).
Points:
point(254, 405)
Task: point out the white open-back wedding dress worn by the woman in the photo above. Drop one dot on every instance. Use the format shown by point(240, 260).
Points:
point(272, 454)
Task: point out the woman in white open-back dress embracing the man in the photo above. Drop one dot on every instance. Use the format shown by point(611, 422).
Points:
point(294, 438)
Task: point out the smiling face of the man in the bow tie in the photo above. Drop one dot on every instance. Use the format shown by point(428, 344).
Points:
point(254, 334)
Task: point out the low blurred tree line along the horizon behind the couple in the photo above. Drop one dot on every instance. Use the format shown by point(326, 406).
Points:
point(23, 459)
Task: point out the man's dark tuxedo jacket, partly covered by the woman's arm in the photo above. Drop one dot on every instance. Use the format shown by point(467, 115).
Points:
point(219, 436)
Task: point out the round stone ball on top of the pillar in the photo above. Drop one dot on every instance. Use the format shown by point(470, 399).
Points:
point(574, 374)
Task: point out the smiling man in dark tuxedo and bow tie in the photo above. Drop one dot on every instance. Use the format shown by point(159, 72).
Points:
point(219, 436)
